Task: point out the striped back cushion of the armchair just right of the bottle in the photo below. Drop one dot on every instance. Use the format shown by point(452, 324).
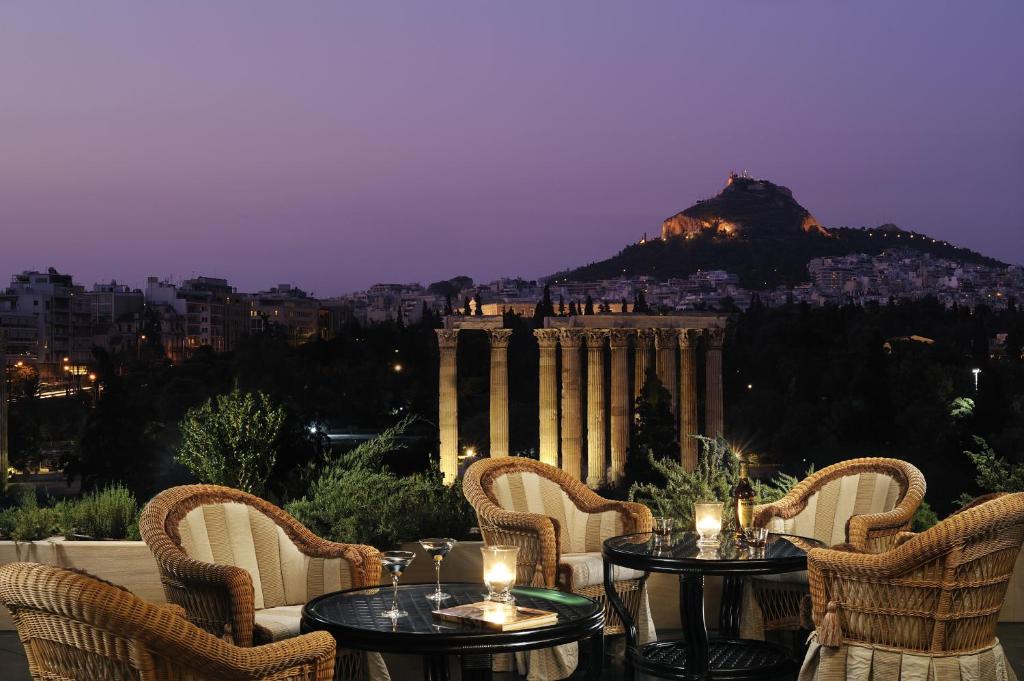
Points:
point(829, 510)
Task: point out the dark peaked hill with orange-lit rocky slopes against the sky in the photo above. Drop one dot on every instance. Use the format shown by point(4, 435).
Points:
point(758, 231)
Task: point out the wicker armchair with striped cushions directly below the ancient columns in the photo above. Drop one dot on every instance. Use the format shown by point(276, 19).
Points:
point(559, 525)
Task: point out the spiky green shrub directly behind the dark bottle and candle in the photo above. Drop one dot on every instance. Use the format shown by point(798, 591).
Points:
point(716, 474)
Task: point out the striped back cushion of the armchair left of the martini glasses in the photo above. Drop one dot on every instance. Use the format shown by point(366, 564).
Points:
point(234, 534)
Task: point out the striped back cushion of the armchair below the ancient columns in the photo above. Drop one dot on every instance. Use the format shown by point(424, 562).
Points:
point(579, 532)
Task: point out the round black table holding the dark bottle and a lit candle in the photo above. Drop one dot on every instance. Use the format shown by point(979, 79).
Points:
point(695, 657)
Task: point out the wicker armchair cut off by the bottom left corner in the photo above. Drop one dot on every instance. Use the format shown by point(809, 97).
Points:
point(76, 628)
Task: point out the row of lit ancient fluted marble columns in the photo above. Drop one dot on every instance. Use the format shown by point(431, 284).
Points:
point(654, 348)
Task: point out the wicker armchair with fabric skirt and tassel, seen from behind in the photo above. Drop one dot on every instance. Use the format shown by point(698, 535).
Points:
point(929, 607)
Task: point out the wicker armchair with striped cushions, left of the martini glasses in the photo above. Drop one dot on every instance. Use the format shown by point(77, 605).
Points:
point(240, 566)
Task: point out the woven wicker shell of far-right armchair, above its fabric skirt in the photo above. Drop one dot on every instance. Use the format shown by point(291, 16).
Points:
point(938, 592)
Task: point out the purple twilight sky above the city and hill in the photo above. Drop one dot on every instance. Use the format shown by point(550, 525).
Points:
point(334, 146)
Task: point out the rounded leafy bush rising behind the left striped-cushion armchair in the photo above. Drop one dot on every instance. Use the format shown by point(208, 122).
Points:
point(232, 440)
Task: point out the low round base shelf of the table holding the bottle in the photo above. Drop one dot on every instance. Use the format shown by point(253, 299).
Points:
point(731, 660)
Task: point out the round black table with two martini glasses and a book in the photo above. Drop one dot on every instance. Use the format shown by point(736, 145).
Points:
point(354, 617)
